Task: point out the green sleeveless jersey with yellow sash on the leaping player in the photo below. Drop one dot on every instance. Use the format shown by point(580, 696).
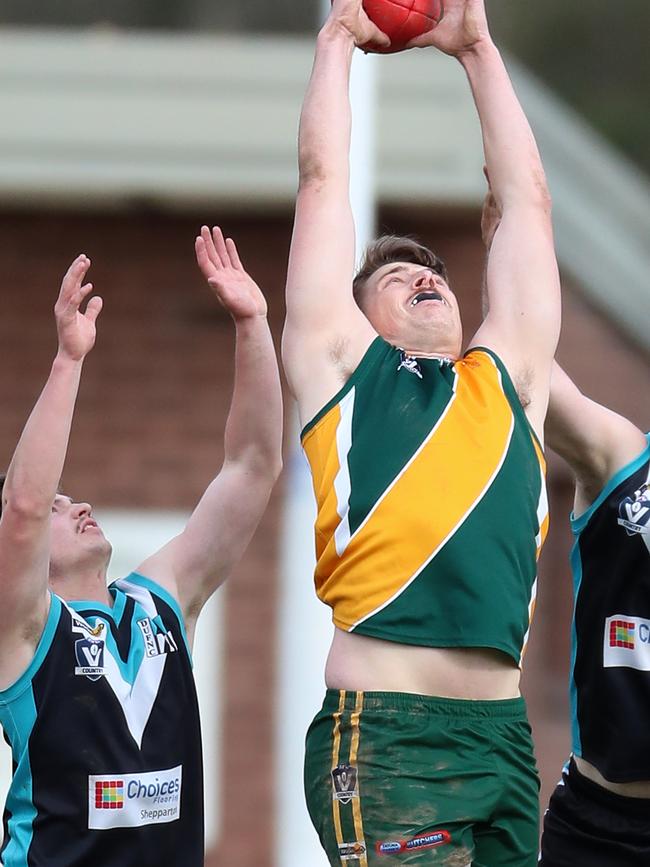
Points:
point(432, 510)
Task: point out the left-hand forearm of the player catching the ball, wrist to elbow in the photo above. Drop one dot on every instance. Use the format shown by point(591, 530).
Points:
point(326, 120)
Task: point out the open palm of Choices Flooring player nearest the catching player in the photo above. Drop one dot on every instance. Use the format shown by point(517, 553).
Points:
point(222, 268)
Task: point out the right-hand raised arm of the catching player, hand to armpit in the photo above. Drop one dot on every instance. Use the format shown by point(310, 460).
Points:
point(523, 287)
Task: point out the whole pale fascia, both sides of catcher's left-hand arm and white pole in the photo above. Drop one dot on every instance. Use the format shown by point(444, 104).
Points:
point(93, 116)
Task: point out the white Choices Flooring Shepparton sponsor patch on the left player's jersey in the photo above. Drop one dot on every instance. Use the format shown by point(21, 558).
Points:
point(133, 800)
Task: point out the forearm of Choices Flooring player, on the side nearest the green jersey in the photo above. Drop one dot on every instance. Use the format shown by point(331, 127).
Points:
point(254, 427)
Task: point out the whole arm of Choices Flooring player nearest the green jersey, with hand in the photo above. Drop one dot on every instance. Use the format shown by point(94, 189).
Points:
point(197, 561)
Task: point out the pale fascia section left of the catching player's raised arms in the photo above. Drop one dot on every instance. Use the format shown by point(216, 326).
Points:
point(96, 115)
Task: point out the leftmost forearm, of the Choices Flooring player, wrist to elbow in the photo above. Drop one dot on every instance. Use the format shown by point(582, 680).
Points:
point(37, 463)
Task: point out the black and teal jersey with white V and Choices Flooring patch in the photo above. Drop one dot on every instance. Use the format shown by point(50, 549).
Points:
point(105, 738)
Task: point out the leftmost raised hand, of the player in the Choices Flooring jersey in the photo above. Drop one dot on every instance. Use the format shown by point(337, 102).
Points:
point(76, 330)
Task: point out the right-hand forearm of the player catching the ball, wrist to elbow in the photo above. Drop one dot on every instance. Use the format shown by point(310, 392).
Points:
point(512, 158)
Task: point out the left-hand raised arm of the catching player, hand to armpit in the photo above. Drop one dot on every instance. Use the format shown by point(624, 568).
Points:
point(323, 324)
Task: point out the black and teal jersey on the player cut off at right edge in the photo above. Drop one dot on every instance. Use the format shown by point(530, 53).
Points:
point(610, 666)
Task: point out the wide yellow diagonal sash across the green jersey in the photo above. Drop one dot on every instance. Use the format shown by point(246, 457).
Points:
point(443, 483)
